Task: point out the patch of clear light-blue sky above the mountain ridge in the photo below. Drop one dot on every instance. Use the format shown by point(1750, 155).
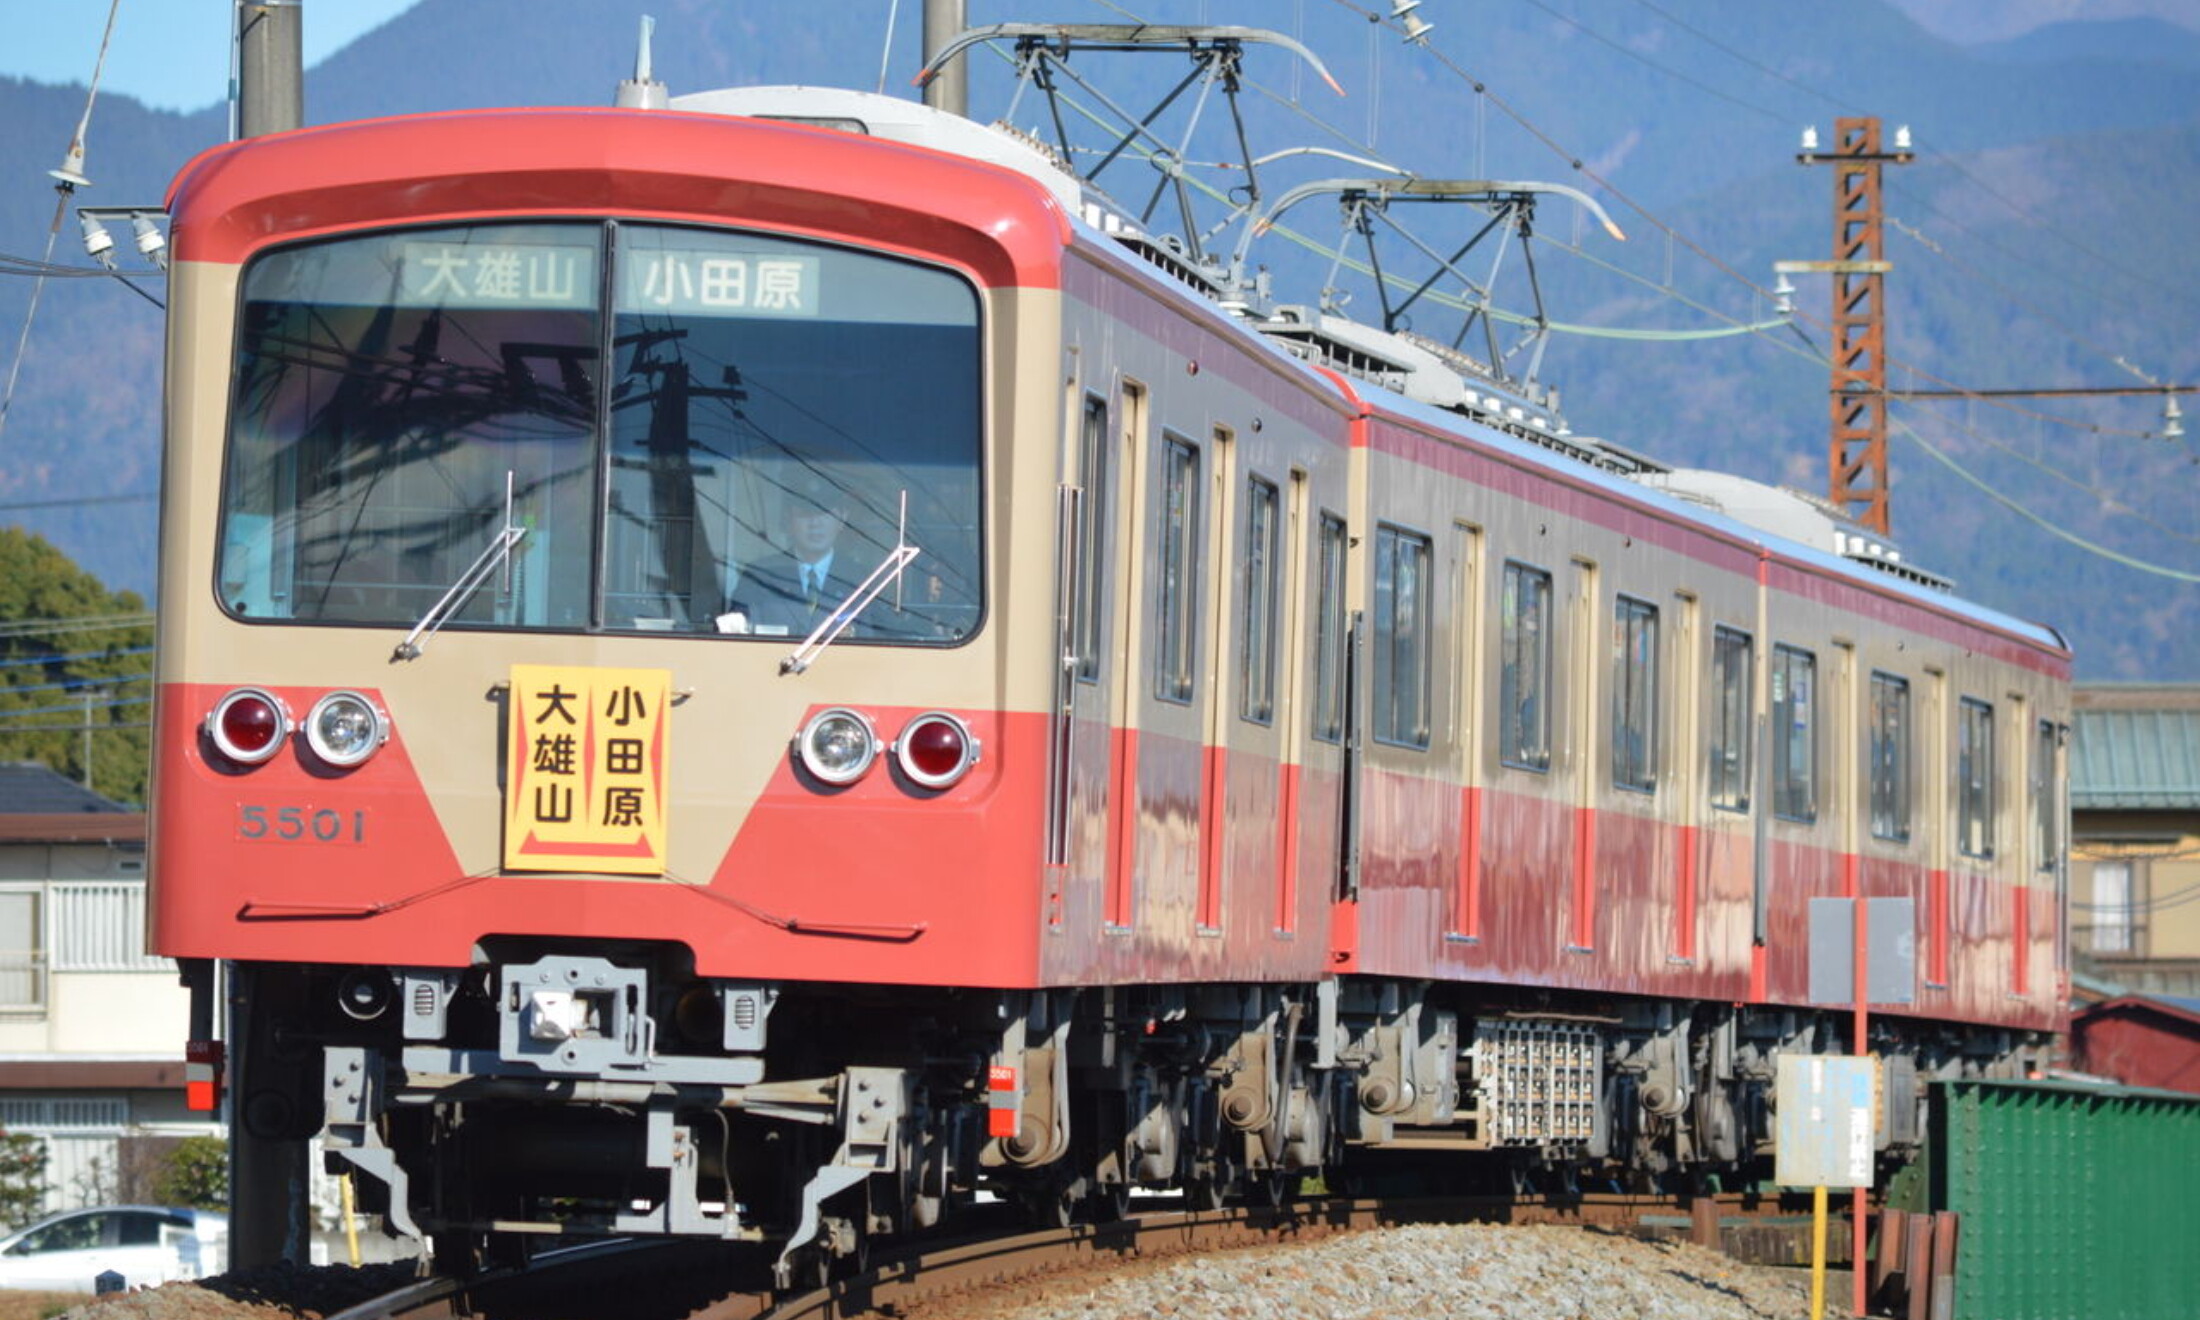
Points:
point(168, 54)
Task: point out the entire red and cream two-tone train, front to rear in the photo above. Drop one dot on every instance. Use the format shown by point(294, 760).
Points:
point(1215, 760)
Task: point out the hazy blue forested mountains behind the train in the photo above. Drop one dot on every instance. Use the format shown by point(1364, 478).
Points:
point(2040, 234)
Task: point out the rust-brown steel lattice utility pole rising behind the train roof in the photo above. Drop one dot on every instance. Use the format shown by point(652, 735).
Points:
point(1858, 450)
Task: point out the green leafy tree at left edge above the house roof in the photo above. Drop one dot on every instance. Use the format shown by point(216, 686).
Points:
point(76, 670)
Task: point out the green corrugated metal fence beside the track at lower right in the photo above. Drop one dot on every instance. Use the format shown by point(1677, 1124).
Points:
point(2078, 1202)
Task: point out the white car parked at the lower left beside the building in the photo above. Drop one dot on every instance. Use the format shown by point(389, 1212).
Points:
point(144, 1244)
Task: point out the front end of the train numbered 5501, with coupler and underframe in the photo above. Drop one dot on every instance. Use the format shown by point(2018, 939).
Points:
point(569, 835)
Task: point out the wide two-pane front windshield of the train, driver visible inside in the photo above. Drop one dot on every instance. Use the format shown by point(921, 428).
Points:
point(690, 432)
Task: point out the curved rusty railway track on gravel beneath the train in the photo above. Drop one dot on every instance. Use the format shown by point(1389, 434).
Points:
point(687, 1281)
